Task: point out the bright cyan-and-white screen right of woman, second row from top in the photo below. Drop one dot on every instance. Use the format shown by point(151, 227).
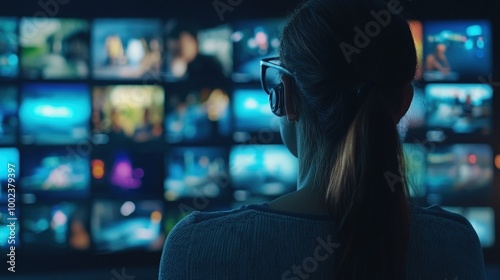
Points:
point(461, 108)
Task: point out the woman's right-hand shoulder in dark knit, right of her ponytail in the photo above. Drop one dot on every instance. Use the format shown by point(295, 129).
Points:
point(436, 235)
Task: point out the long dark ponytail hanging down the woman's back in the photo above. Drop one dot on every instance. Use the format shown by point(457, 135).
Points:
point(367, 193)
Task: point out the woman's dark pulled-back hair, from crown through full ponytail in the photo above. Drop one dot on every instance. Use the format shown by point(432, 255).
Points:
point(352, 63)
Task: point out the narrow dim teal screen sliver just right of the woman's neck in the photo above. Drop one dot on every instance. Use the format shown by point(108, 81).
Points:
point(415, 159)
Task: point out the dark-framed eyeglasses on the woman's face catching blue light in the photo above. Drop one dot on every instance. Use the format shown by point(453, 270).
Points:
point(270, 73)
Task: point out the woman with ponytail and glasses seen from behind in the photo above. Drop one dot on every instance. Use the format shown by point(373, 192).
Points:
point(350, 217)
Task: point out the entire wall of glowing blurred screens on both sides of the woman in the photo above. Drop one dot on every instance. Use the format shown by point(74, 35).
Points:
point(117, 128)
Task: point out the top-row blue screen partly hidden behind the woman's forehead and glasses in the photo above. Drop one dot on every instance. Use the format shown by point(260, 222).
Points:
point(252, 41)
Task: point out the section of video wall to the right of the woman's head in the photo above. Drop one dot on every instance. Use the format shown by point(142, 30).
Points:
point(448, 130)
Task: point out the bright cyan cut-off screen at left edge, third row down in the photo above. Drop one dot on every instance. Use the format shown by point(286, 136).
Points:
point(8, 156)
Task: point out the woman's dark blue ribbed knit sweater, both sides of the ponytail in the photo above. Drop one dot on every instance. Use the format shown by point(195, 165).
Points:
point(258, 243)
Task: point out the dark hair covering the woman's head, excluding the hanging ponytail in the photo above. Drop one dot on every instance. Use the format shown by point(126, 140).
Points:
point(334, 47)
